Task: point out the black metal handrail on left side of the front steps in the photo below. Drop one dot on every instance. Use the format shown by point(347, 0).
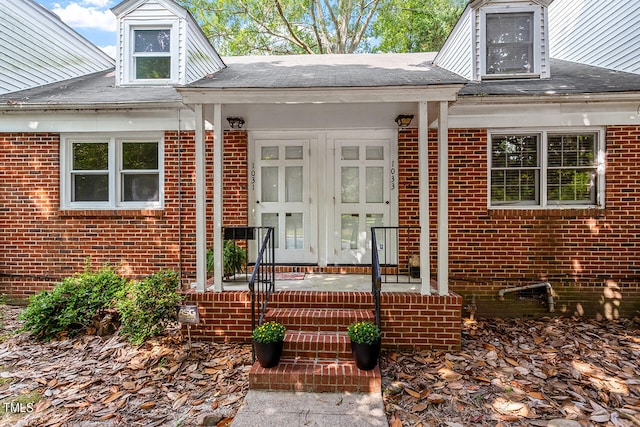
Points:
point(264, 275)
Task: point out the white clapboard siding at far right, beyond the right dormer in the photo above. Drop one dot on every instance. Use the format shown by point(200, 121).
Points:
point(603, 33)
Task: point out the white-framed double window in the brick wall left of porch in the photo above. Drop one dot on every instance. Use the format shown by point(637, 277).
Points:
point(111, 172)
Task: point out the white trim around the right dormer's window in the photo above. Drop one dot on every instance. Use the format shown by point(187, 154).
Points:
point(537, 39)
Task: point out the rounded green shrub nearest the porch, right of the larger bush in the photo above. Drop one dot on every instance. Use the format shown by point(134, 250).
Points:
point(146, 307)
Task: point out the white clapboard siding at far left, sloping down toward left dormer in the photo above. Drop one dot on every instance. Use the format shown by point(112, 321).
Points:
point(37, 48)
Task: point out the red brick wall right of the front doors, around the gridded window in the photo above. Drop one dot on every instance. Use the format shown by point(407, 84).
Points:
point(590, 256)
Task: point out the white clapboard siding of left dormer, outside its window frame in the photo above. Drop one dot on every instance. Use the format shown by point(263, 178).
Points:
point(196, 56)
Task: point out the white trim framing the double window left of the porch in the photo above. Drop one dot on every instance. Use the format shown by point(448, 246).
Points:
point(115, 174)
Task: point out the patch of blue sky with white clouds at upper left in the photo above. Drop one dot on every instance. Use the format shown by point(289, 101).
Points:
point(93, 19)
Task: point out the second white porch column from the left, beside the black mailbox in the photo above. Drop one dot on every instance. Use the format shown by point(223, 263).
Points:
point(218, 185)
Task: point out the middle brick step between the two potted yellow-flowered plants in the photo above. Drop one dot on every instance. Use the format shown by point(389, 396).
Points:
point(316, 345)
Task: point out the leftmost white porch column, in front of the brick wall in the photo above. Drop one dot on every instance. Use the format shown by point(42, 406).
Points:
point(201, 201)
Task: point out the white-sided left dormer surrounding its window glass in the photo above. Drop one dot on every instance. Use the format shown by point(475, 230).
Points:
point(191, 54)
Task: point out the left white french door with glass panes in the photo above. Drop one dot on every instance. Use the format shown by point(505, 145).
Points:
point(280, 198)
